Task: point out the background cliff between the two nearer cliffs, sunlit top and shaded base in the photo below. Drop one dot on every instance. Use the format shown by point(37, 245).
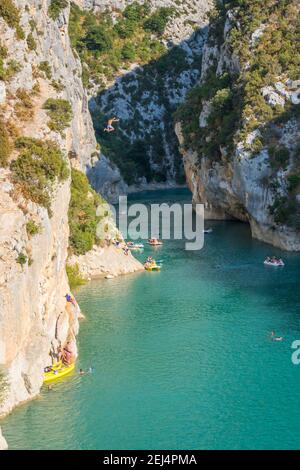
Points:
point(144, 90)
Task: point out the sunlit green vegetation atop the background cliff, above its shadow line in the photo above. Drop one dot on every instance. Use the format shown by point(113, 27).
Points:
point(134, 37)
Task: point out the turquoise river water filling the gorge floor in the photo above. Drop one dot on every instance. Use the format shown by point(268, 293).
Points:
point(181, 358)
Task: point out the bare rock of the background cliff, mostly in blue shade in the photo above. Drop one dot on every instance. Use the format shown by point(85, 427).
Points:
point(145, 98)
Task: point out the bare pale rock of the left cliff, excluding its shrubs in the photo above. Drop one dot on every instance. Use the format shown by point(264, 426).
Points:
point(34, 318)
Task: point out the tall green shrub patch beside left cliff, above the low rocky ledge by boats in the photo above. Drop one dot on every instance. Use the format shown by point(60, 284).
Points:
point(82, 214)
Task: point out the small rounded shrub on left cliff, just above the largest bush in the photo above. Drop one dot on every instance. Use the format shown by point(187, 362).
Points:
point(60, 113)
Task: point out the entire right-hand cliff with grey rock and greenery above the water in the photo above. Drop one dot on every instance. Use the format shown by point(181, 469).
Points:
point(239, 130)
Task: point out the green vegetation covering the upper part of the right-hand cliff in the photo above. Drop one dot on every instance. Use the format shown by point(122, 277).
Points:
point(262, 39)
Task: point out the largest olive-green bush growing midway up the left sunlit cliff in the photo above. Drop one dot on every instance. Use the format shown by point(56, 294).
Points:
point(39, 165)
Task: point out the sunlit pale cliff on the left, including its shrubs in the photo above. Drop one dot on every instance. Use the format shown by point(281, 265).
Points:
point(45, 127)
